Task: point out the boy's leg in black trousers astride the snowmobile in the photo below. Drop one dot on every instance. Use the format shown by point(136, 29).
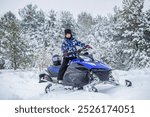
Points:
point(63, 68)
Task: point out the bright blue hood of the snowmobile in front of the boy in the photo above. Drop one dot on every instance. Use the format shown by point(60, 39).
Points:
point(92, 65)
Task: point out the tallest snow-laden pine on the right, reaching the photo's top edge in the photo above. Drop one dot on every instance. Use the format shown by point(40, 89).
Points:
point(129, 34)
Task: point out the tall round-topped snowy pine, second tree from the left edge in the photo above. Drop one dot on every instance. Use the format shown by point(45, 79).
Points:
point(34, 26)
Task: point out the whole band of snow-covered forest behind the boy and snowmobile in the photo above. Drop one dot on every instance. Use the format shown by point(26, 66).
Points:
point(121, 40)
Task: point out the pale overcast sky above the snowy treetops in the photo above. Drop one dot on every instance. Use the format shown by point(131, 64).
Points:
point(102, 7)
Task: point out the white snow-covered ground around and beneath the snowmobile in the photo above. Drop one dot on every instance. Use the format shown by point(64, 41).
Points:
point(16, 85)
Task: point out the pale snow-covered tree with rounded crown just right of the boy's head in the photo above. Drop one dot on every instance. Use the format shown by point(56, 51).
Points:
point(84, 29)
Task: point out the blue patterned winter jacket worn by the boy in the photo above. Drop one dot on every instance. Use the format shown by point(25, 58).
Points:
point(69, 45)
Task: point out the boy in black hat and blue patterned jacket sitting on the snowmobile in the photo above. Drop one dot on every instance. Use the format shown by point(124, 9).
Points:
point(69, 45)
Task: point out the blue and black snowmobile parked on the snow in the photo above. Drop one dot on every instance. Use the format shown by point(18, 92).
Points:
point(82, 73)
